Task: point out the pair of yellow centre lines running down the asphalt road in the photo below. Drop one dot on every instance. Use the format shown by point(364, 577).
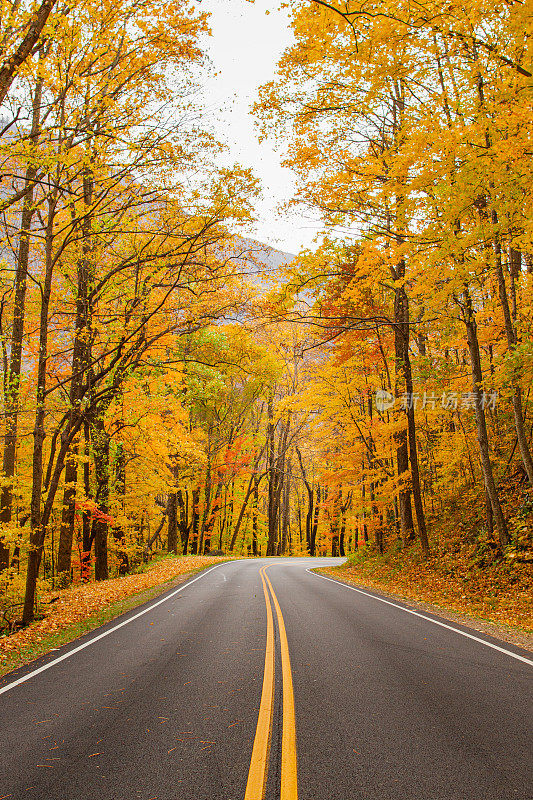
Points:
point(257, 774)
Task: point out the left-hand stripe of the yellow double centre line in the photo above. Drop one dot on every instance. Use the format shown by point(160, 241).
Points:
point(257, 774)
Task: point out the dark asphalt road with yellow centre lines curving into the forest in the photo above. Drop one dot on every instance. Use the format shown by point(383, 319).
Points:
point(261, 677)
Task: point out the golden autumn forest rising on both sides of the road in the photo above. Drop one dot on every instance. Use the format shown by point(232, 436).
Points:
point(170, 386)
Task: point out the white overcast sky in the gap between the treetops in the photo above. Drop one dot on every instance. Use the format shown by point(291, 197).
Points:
point(244, 48)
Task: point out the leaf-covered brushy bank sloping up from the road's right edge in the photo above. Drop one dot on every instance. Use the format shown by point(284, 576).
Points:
point(467, 571)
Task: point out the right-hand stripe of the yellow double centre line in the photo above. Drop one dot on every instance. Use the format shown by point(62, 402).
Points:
point(289, 776)
